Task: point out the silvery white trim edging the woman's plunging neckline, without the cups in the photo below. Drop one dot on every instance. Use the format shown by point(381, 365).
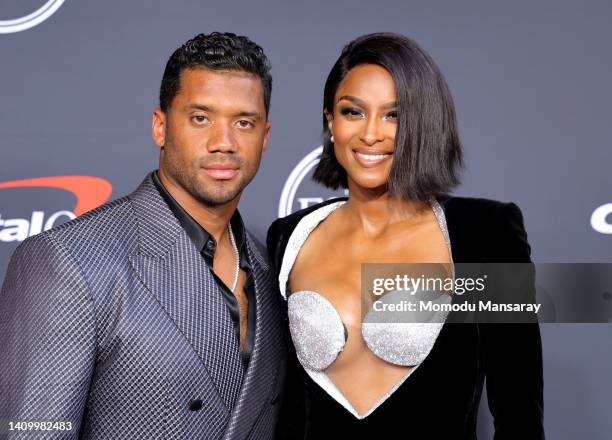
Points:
point(297, 239)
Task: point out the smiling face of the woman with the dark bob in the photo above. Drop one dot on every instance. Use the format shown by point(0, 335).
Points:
point(364, 123)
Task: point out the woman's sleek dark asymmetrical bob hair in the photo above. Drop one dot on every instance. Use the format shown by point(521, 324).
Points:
point(428, 152)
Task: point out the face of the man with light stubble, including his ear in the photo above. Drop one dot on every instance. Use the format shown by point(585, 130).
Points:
point(213, 135)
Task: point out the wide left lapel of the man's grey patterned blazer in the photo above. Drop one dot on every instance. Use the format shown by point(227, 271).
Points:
point(174, 272)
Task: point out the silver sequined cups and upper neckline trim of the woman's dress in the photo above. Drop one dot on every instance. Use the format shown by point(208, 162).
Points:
point(317, 330)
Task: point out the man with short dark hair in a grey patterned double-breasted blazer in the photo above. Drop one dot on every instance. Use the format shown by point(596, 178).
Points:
point(156, 316)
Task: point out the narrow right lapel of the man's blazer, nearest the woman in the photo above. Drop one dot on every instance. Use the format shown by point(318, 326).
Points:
point(267, 350)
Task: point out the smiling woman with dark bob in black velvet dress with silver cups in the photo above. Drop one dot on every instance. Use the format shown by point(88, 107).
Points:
point(390, 137)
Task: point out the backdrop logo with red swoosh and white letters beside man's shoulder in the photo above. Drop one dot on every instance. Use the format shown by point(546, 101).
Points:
point(90, 192)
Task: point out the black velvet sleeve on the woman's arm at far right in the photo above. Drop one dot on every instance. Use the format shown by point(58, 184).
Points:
point(512, 353)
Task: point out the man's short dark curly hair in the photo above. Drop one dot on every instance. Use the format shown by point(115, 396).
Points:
point(215, 51)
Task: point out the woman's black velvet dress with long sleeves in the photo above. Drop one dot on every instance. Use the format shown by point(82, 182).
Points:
point(440, 399)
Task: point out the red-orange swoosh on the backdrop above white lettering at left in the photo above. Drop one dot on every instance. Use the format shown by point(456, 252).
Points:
point(90, 192)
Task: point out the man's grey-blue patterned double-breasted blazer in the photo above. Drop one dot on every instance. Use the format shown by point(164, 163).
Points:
point(114, 322)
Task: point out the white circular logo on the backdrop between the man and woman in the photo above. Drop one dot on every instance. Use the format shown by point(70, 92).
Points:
point(298, 192)
